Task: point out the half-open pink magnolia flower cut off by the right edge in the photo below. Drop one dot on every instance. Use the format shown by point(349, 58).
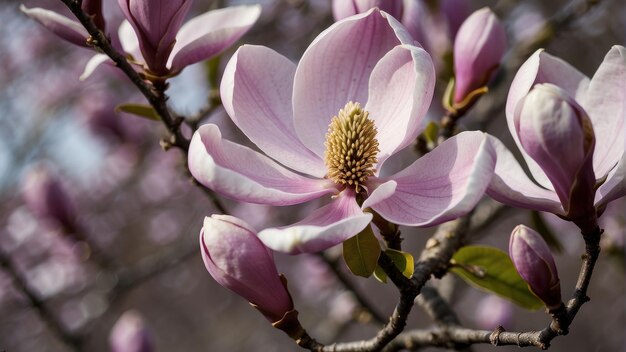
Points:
point(571, 135)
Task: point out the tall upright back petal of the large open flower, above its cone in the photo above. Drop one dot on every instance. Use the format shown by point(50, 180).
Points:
point(336, 69)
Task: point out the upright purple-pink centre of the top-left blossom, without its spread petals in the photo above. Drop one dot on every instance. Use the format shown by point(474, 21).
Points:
point(156, 23)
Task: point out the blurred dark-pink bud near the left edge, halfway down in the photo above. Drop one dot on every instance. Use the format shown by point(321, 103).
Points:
point(47, 199)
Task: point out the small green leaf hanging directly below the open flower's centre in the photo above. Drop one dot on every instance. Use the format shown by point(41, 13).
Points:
point(361, 252)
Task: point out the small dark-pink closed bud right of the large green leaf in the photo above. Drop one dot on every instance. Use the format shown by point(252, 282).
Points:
point(535, 264)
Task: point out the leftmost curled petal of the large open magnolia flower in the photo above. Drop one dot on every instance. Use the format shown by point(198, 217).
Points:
point(242, 174)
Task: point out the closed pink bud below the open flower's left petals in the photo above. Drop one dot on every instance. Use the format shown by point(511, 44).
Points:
point(238, 260)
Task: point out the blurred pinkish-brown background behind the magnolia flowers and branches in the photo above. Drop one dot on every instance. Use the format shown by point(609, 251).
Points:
point(97, 220)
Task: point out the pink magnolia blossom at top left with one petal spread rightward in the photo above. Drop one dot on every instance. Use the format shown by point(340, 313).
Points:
point(160, 40)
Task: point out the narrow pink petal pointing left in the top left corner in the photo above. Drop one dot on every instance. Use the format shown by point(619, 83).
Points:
point(70, 30)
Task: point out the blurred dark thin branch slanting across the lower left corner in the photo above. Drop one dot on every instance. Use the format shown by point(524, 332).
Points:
point(74, 342)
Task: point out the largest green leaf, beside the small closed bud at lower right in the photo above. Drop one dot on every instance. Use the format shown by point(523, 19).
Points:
point(491, 269)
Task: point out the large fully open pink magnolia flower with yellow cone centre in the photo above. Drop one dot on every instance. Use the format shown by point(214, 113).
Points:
point(357, 97)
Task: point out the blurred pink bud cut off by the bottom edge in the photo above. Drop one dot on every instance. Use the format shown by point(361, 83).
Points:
point(129, 334)
